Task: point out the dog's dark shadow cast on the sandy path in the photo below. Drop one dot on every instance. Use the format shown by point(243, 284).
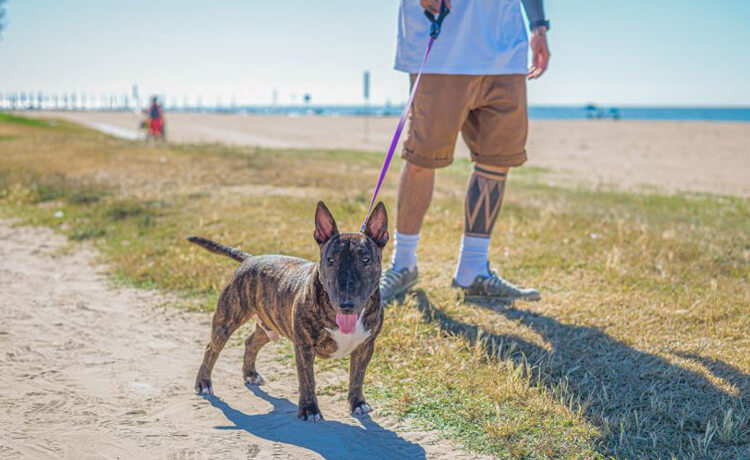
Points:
point(329, 438)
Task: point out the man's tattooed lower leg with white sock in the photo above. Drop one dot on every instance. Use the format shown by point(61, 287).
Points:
point(484, 197)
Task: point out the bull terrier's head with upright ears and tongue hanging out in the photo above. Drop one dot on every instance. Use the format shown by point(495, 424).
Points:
point(350, 263)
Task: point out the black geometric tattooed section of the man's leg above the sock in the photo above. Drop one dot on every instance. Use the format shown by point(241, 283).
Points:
point(483, 199)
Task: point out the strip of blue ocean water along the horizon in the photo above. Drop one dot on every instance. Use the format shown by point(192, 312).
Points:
point(535, 112)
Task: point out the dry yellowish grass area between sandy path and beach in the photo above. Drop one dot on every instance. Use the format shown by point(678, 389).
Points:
point(639, 347)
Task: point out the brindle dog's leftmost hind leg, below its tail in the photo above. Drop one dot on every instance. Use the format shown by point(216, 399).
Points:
point(227, 318)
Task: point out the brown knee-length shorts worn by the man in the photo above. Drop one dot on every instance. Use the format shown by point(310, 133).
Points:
point(489, 110)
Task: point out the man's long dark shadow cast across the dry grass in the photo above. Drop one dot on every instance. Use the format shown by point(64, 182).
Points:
point(643, 404)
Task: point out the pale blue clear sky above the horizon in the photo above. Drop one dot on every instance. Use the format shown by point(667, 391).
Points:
point(634, 52)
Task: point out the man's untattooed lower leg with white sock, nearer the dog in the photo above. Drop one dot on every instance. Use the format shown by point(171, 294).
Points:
point(414, 196)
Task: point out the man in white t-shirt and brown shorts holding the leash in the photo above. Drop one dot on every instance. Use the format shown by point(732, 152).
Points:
point(475, 83)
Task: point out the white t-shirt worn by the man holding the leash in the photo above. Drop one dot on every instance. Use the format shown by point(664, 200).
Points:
point(478, 37)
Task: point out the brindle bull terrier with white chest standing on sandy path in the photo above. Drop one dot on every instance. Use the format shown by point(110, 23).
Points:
point(328, 309)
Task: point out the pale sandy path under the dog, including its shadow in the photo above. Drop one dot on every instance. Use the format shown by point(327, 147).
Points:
point(89, 370)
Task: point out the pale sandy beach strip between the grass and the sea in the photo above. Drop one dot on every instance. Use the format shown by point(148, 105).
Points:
point(671, 156)
